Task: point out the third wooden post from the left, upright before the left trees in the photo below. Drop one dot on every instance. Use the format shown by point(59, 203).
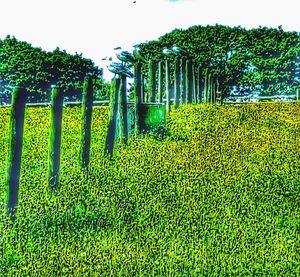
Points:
point(87, 107)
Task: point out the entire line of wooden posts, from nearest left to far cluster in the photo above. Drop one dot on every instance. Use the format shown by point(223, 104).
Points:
point(187, 87)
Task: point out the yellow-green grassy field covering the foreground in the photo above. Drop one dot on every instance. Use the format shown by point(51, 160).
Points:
point(218, 196)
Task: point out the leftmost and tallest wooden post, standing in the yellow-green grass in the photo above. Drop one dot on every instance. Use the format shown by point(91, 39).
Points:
point(15, 150)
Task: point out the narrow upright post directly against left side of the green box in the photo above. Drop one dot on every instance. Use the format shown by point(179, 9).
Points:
point(137, 95)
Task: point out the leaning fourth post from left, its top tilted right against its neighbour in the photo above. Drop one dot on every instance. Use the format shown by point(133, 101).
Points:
point(112, 123)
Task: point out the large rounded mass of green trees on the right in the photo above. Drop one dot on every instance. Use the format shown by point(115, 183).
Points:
point(264, 60)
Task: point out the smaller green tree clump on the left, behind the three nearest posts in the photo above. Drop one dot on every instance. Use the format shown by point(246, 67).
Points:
point(37, 70)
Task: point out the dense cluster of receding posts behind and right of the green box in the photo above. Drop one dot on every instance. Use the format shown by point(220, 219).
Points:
point(188, 84)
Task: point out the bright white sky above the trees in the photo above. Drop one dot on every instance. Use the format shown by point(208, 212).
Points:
point(95, 27)
